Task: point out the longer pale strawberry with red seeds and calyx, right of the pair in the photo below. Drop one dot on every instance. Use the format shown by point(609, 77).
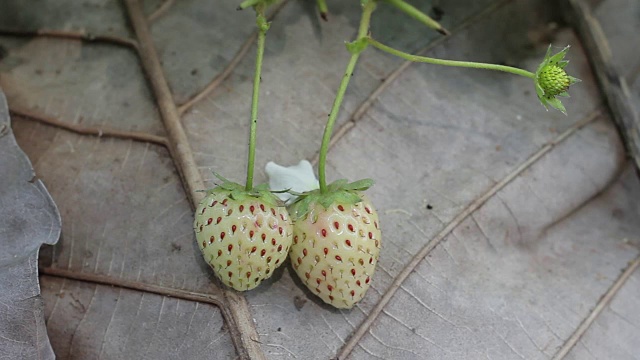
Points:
point(336, 242)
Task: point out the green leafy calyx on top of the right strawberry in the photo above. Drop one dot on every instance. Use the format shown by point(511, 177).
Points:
point(340, 191)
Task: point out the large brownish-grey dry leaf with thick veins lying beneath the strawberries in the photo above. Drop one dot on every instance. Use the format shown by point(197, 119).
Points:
point(526, 217)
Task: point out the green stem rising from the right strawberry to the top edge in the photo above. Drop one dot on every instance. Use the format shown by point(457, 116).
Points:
point(363, 30)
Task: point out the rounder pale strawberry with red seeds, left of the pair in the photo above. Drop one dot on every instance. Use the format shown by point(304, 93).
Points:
point(243, 235)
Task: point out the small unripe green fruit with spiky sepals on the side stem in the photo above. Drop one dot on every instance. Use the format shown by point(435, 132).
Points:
point(552, 80)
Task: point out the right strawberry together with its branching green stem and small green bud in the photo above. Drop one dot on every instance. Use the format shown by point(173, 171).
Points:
point(337, 236)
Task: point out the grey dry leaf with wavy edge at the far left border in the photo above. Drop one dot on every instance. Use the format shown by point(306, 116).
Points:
point(28, 219)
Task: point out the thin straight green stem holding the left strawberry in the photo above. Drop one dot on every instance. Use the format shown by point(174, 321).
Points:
point(263, 26)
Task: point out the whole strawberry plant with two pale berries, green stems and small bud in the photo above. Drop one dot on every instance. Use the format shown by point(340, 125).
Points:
point(336, 232)
